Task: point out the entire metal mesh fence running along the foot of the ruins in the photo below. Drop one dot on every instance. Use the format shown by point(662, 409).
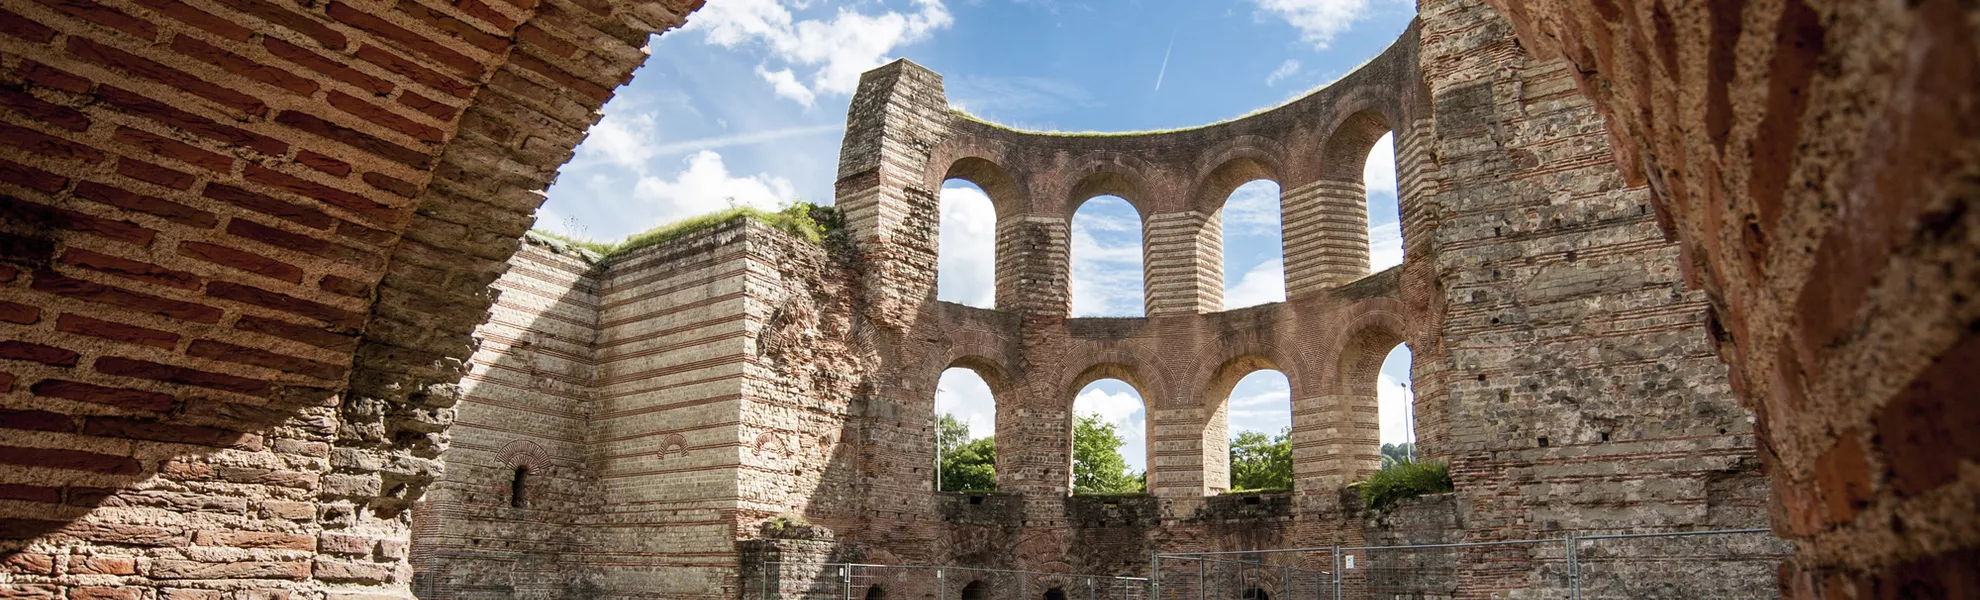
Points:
point(1735, 563)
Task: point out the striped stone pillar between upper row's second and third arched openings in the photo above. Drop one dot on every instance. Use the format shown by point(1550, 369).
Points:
point(1185, 262)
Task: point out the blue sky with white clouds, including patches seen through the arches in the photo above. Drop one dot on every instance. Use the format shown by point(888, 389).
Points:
point(747, 104)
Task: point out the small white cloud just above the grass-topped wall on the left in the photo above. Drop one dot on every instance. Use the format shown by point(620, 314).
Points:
point(706, 185)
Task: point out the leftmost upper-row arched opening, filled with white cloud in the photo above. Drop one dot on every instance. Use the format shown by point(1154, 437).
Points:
point(967, 256)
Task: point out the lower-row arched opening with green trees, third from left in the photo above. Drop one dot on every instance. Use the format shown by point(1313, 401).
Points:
point(1260, 427)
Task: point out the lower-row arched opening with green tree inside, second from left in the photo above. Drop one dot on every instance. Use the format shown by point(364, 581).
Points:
point(1110, 433)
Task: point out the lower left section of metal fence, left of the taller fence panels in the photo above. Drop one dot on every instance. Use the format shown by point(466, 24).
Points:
point(852, 581)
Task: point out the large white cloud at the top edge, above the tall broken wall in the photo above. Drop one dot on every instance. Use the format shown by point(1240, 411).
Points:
point(835, 50)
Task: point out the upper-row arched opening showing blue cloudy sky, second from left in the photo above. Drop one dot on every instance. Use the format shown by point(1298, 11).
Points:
point(1106, 260)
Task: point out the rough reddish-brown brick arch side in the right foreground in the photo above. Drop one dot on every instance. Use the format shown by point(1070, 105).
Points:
point(1817, 161)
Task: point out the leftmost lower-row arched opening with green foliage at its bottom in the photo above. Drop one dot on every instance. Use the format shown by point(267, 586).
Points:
point(965, 431)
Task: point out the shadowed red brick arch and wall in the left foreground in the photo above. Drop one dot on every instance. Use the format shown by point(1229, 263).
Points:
point(247, 247)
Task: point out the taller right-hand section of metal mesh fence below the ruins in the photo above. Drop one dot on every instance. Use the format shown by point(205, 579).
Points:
point(1638, 565)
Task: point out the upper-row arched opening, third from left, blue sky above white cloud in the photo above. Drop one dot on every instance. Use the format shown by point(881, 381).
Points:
point(1254, 250)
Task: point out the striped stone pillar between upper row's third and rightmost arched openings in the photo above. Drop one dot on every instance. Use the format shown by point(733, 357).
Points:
point(1326, 229)
